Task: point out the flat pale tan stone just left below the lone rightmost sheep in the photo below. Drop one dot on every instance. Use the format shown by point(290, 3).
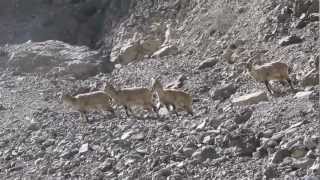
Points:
point(252, 98)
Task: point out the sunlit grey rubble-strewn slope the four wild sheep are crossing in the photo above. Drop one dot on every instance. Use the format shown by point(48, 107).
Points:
point(239, 130)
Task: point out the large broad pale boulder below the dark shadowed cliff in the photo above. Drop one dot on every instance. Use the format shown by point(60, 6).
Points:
point(56, 58)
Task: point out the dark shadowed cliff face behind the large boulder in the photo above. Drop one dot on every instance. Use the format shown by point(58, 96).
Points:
point(72, 21)
